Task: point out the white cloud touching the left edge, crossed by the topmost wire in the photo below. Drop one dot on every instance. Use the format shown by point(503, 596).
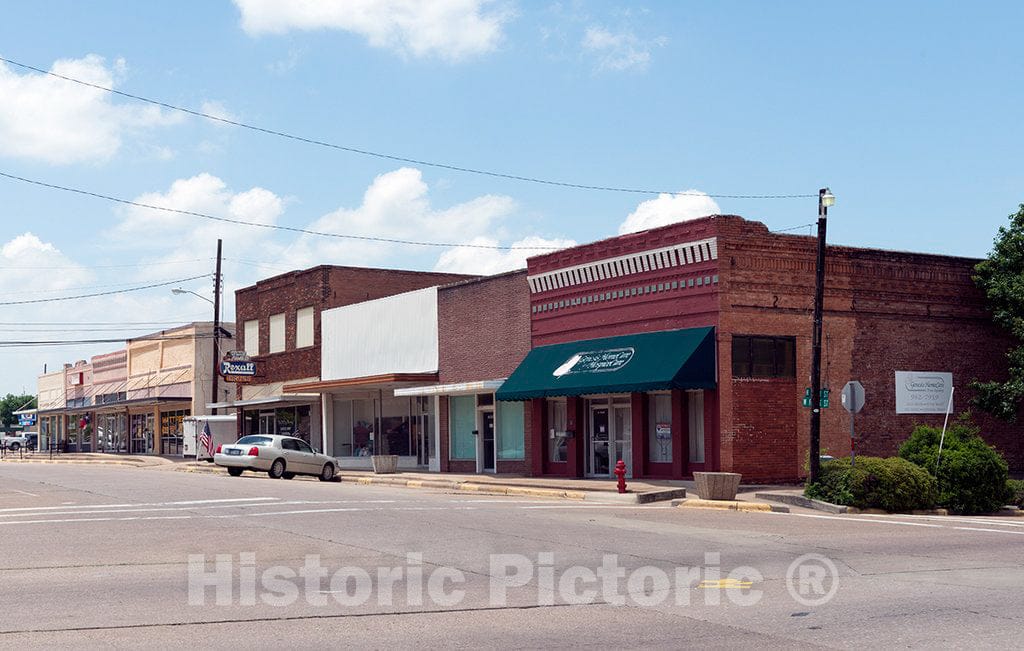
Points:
point(61, 122)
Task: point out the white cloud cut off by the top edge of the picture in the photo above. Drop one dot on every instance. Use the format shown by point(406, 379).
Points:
point(451, 30)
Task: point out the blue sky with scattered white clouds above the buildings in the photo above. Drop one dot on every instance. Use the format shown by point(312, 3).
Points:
point(910, 112)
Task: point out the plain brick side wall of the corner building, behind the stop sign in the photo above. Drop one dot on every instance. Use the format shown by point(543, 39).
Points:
point(885, 312)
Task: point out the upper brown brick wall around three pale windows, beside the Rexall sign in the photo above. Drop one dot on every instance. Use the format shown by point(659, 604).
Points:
point(323, 288)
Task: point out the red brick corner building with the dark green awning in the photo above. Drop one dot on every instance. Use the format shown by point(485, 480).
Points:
point(599, 305)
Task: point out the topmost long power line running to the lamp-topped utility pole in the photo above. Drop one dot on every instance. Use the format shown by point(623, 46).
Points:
point(388, 157)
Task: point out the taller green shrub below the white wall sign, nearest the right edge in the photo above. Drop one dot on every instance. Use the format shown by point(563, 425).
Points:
point(972, 475)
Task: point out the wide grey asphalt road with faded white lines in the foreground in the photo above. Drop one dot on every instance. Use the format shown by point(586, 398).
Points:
point(129, 558)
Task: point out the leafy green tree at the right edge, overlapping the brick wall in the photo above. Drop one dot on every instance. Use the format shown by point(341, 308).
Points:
point(1002, 279)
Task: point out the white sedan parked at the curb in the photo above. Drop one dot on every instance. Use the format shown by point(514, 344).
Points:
point(279, 457)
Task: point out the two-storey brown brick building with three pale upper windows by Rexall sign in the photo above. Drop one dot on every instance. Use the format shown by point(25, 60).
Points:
point(279, 322)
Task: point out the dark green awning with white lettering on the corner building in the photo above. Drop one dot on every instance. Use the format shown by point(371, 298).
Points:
point(651, 362)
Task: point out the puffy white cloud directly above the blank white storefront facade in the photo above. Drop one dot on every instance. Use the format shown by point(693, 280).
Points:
point(397, 205)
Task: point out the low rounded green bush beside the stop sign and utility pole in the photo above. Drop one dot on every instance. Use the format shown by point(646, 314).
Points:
point(891, 485)
